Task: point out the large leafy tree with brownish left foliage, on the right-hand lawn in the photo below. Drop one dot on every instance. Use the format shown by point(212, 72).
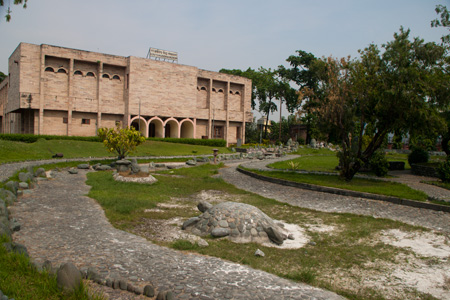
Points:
point(401, 90)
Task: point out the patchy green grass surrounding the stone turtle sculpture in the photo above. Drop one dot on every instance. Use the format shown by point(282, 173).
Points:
point(350, 248)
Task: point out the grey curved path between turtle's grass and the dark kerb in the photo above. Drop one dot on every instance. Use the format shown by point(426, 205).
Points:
point(334, 203)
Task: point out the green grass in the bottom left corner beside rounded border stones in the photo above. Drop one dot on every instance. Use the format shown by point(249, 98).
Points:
point(20, 280)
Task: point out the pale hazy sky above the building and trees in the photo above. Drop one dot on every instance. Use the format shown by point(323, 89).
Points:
point(212, 34)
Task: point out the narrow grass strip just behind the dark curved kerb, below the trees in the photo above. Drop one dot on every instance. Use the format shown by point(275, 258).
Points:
point(380, 187)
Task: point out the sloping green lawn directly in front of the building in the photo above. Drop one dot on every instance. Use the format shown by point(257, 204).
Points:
point(44, 149)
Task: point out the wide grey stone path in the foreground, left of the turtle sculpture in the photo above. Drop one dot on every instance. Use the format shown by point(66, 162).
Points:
point(61, 224)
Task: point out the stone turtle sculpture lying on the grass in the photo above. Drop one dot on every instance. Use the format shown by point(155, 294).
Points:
point(240, 222)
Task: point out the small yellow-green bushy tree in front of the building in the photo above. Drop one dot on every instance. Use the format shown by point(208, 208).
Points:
point(122, 141)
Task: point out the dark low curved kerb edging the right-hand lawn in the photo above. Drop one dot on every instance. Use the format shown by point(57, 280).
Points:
point(343, 192)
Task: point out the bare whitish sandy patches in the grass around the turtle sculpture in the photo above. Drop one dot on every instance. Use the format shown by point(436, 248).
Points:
point(425, 267)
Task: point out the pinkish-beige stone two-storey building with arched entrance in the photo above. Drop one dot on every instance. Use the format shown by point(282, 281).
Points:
point(60, 91)
